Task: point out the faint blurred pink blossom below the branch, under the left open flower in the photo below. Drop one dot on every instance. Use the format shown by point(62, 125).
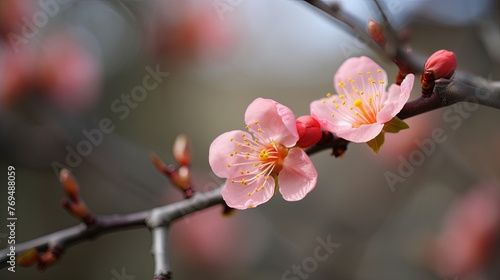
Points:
point(217, 244)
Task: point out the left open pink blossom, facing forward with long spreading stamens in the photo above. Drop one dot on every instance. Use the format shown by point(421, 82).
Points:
point(254, 161)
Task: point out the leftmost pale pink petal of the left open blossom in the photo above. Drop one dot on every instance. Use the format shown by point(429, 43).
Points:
point(219, 155)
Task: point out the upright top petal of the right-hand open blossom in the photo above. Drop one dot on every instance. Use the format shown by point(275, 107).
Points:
point(355, 65)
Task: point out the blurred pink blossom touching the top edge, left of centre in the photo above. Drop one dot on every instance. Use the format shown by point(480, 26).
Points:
point(188, 30)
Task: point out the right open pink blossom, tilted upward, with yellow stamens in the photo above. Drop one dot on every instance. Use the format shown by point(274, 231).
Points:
point(362, 106)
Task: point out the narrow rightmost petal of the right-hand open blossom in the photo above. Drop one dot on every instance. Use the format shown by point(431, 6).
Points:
point(397, 96)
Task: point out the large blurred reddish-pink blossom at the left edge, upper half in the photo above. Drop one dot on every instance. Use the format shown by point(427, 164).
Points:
point(61, 71)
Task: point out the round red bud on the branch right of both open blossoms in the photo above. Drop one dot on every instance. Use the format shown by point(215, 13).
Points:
point(442, 63)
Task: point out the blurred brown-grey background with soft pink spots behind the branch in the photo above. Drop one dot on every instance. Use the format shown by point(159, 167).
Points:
point(151, 70)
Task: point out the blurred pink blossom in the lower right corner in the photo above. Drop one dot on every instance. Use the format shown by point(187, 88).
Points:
point(467, 239)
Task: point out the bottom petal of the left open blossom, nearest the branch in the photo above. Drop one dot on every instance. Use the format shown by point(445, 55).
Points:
point(237, 195)
